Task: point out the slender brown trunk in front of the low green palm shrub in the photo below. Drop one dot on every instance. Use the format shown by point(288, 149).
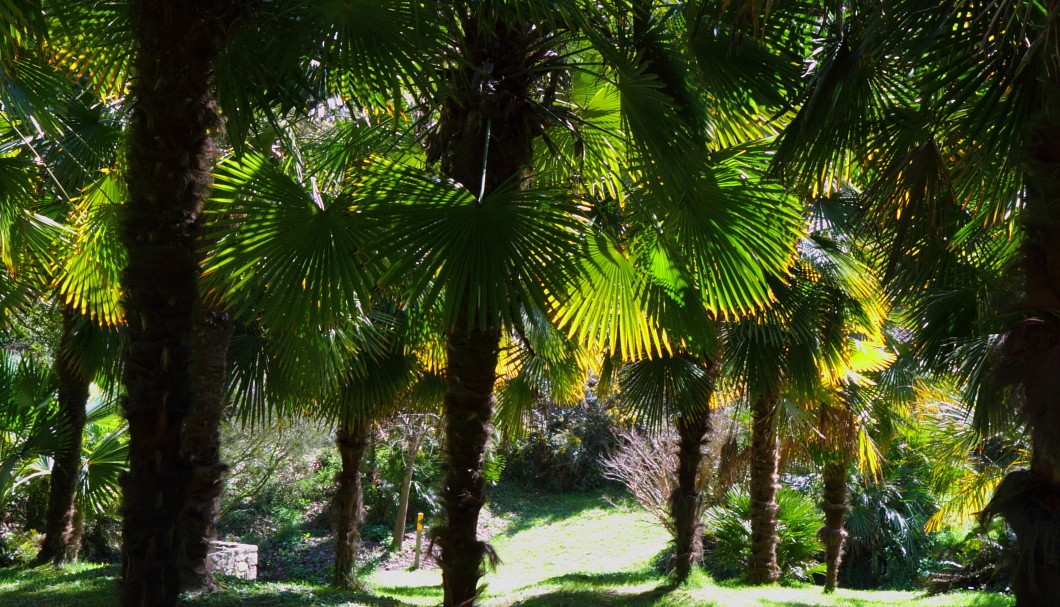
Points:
point(763, 567)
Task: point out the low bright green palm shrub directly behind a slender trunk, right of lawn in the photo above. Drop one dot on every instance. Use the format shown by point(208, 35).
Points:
point(729, 535)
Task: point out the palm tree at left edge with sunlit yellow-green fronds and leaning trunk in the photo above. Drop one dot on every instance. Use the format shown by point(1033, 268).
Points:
point(55, 244)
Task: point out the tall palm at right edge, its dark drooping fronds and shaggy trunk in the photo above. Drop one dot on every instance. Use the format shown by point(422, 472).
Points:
point(968, 134)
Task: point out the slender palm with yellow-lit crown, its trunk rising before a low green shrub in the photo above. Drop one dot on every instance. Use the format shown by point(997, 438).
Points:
point(796, 350)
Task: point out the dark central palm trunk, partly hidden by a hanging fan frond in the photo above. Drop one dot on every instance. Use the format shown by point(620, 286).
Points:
point(484, 140)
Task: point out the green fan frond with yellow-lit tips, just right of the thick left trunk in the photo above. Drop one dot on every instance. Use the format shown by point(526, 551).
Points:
point(296, 256)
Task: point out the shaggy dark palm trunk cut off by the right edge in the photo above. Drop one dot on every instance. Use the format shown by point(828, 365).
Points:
point(1030, 501)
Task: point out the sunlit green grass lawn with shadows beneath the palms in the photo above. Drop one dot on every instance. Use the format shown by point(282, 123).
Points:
point(576, 551)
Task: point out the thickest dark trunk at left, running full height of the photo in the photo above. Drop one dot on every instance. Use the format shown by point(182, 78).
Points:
point(170, 157)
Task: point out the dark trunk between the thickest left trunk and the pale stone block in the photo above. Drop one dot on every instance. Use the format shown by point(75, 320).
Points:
point(202, 449)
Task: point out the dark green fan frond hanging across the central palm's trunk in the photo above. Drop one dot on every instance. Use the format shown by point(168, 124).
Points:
point(494, 256)
